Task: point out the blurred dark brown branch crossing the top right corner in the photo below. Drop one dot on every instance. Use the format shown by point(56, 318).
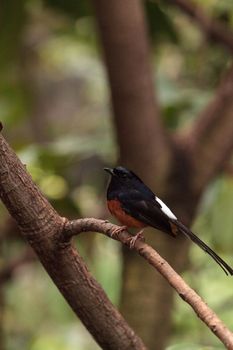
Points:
point(212, 28)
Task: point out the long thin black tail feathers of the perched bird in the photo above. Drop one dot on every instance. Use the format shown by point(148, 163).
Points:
point(183, 229)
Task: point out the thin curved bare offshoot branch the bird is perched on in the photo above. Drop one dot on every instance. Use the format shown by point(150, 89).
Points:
point(212, 321)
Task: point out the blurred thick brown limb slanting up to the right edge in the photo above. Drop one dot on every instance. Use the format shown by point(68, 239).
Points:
point(211, 137)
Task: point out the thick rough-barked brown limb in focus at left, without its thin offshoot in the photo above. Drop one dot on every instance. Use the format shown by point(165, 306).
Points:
point(41, 226)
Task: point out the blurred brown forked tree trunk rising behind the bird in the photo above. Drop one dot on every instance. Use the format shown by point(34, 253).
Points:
point(168, 166)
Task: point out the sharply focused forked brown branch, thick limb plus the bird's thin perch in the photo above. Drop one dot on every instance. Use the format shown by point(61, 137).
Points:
point(50, 237)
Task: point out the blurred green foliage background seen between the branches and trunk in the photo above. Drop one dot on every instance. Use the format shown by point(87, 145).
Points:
point(54, 105)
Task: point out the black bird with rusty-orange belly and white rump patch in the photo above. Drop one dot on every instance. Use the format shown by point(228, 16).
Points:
point(136, 206)
